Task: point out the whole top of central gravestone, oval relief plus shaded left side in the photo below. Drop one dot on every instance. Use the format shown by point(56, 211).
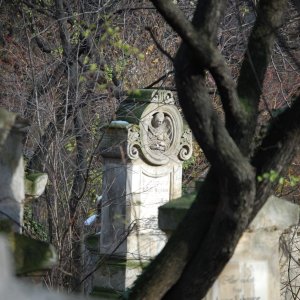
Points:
point(148, 126)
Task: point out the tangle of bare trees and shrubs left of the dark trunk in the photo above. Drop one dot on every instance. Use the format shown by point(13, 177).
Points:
point(65, 66)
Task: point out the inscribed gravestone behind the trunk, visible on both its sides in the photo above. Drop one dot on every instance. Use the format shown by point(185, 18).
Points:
point(260, 262)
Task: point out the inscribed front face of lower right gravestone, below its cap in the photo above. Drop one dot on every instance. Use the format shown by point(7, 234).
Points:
point(253, 272)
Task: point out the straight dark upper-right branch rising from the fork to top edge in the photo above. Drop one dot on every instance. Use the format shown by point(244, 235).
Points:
point(256, 60)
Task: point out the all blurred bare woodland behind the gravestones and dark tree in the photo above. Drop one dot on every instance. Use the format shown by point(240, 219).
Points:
point(66, 65)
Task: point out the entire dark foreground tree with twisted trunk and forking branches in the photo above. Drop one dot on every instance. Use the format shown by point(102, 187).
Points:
point(231, 196)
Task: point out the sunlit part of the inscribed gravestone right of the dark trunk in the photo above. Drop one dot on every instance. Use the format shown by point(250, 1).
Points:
point(254, 270)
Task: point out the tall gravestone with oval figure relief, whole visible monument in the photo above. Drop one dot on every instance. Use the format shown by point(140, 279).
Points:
point(143, 151)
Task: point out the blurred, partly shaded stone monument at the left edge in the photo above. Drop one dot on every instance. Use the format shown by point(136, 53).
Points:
point(29, 255)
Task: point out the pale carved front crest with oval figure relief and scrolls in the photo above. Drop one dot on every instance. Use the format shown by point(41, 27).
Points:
point(161, 136)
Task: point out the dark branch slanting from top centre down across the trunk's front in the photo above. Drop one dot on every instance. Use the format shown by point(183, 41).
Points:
point(204, 49)
